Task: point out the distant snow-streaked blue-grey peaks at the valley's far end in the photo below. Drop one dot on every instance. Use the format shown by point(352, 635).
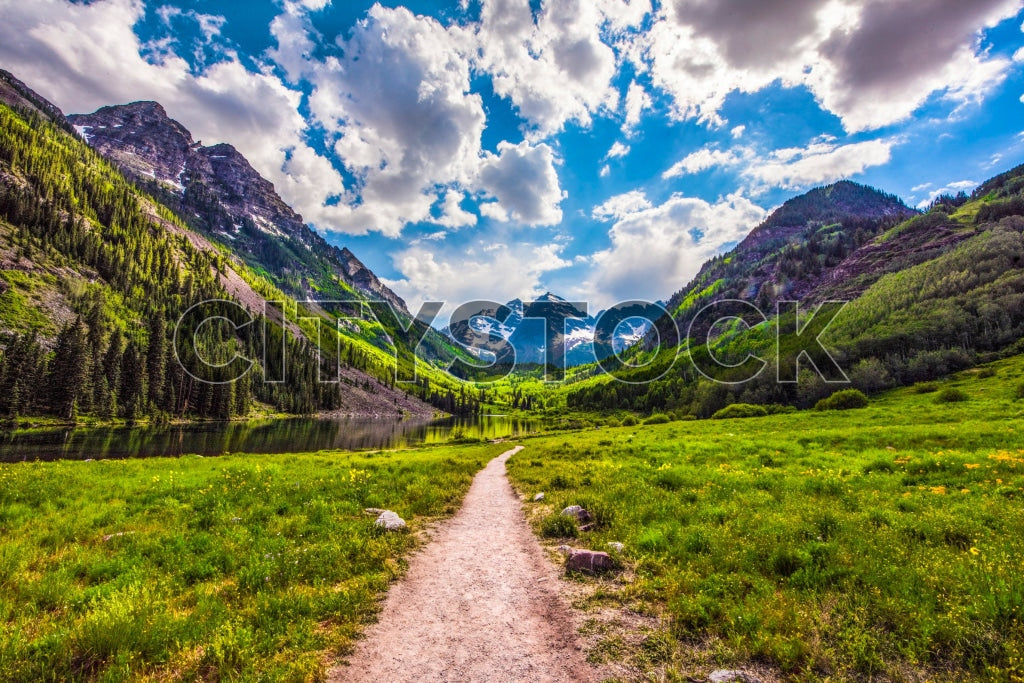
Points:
point(549, 330)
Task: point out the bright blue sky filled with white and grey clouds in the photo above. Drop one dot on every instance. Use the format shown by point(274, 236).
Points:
point(600, 149)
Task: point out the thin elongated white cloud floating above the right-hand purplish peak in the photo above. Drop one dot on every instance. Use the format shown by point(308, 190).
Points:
point(790, 168)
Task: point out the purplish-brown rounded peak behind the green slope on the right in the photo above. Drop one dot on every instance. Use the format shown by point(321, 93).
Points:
point(795, 251)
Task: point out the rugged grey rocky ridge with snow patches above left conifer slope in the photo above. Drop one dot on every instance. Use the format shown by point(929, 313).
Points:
point(223, 195)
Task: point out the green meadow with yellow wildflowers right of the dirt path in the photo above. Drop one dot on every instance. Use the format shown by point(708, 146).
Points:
point(857, 545)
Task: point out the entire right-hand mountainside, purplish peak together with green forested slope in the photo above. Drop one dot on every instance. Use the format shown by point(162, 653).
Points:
point(927, 296)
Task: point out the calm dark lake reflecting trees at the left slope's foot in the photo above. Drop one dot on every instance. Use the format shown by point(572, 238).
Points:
point(297, 436)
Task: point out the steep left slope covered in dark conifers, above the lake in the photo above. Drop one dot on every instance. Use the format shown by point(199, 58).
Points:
point(96, 276)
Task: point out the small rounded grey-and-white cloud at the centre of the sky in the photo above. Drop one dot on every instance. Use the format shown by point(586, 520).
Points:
point(524, 180)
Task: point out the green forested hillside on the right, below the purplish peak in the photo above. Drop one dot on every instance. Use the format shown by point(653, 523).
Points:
point(933, 295)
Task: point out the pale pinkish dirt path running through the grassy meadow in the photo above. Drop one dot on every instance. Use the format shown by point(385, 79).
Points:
point(480, 604)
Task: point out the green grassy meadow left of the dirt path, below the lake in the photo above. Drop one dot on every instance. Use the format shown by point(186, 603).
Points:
point(228, 569)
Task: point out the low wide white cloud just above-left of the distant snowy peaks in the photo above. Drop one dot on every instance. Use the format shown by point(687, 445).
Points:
point(484, 272)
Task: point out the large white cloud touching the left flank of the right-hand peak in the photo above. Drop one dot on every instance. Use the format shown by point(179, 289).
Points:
point(658, 249)
